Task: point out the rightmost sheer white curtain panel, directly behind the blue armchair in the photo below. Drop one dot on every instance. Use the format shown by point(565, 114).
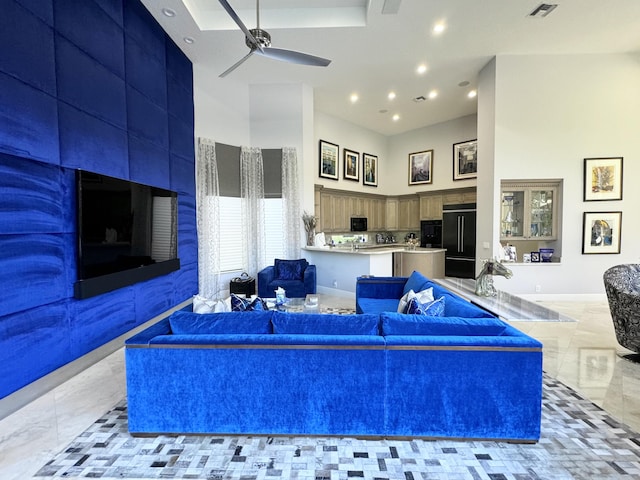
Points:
point(292, 220)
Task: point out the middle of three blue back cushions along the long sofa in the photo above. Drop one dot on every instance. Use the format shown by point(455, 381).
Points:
point(325, 324)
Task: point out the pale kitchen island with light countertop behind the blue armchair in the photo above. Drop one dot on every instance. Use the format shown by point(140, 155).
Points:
point(338, 267)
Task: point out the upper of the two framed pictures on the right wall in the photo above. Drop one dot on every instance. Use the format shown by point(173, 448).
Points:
point(602, 179)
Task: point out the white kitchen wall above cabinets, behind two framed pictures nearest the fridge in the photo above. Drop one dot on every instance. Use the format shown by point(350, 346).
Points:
point(439, 138)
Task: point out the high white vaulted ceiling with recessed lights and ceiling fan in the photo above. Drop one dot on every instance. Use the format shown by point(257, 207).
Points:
point(374, 53)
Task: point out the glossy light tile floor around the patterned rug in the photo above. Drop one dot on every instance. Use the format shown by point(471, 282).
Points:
point(583, 354)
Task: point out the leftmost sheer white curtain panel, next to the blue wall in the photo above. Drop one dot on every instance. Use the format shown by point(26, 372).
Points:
point(208, 219)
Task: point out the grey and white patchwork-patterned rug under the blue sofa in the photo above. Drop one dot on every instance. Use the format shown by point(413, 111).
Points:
point(579, 441)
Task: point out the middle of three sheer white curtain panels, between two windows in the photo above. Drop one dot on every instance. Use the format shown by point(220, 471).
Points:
point(252, 193)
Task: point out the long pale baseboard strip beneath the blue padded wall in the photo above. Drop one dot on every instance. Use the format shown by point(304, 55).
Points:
point(27, 394)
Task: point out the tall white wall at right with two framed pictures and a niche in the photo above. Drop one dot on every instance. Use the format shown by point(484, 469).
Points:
point(551, 112)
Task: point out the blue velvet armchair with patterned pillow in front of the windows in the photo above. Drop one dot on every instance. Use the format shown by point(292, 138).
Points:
point(297, 277)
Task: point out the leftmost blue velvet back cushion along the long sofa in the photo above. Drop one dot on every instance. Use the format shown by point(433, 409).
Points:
point(185, 323)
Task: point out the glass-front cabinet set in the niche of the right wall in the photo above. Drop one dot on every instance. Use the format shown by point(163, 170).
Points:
point(529, 210)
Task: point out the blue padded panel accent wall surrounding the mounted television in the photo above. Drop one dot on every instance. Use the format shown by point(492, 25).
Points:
point(97, 85)
